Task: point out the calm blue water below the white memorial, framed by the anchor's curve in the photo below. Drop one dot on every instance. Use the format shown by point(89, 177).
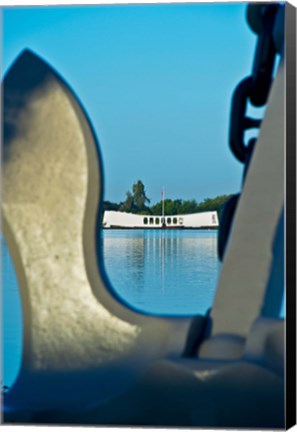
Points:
point(163, 271)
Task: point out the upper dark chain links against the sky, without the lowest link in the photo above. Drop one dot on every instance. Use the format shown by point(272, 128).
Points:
point(255, 88)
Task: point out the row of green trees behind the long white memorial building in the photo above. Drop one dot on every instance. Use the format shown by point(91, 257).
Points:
point(137, 202)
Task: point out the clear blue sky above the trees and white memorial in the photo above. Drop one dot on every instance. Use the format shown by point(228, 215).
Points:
point(156, 81)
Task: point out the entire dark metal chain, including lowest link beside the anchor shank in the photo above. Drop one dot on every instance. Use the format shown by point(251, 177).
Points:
point(267, 21)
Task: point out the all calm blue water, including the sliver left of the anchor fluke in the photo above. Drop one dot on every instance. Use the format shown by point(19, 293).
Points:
point(163, 272)
